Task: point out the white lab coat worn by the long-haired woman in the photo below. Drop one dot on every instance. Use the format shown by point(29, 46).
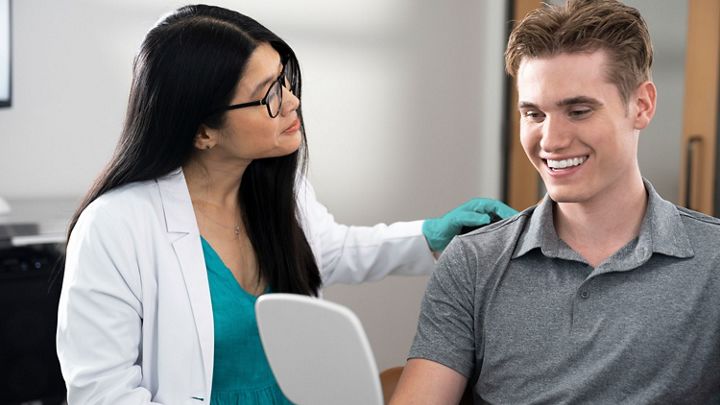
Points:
point(135, 323)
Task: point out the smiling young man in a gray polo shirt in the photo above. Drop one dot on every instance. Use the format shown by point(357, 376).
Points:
point(604, 292)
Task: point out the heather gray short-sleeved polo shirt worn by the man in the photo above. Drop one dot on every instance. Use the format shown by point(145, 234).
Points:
point(514, 308)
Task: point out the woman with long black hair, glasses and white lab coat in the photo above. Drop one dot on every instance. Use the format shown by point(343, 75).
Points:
point(200, 210)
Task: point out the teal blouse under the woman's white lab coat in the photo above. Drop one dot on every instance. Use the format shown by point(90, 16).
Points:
point(241, 374)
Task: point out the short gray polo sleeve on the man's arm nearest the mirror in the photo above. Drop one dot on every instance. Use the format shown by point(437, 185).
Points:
point(445, 332)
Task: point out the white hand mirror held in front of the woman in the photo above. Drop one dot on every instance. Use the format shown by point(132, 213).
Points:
point(318, 351)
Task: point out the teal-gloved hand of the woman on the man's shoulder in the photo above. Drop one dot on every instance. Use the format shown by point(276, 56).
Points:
point(440, 231)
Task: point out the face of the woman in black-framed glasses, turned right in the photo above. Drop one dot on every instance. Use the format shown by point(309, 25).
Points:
point(250, 133)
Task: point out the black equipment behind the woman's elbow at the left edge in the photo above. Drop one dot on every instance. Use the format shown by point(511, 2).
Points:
point(28, 317)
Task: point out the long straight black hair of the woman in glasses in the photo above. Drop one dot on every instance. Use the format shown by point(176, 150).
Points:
point(188, 67)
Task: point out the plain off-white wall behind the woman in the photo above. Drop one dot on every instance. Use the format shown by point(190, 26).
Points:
point(402, 99)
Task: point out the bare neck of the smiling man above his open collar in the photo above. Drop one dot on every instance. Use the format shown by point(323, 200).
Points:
point(597, 229)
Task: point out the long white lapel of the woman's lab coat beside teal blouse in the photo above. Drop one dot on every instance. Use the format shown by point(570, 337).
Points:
point(184, 235)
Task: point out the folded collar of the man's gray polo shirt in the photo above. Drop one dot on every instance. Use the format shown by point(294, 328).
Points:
point(661, 231)
